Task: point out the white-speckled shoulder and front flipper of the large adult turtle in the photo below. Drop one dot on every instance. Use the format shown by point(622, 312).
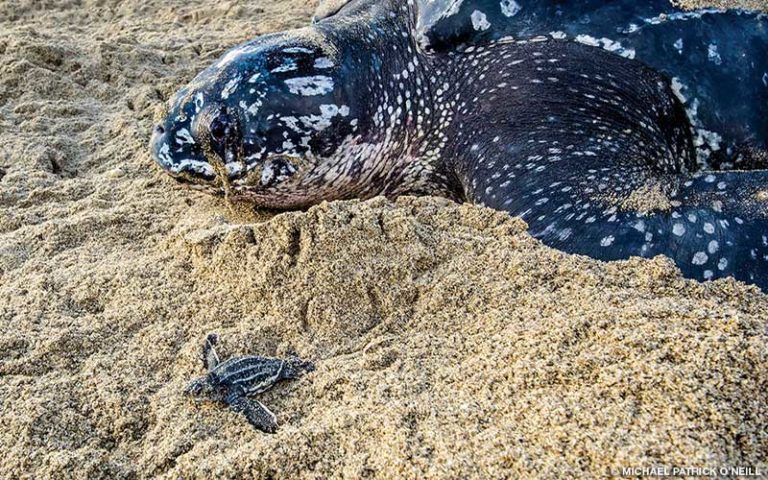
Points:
point(577, 153)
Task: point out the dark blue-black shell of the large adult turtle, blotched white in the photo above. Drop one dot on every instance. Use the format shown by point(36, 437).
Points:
point(704, 51)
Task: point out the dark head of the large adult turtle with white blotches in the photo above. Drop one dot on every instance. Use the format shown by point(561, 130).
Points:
point(259, 122)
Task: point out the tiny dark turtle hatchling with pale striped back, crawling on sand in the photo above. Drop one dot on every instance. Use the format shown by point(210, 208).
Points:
point(232, 381)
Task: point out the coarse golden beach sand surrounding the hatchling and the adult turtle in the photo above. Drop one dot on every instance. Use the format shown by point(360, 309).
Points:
point(448, 342)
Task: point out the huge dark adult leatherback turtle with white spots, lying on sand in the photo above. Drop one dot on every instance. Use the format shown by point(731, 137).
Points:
point(568, 124)
